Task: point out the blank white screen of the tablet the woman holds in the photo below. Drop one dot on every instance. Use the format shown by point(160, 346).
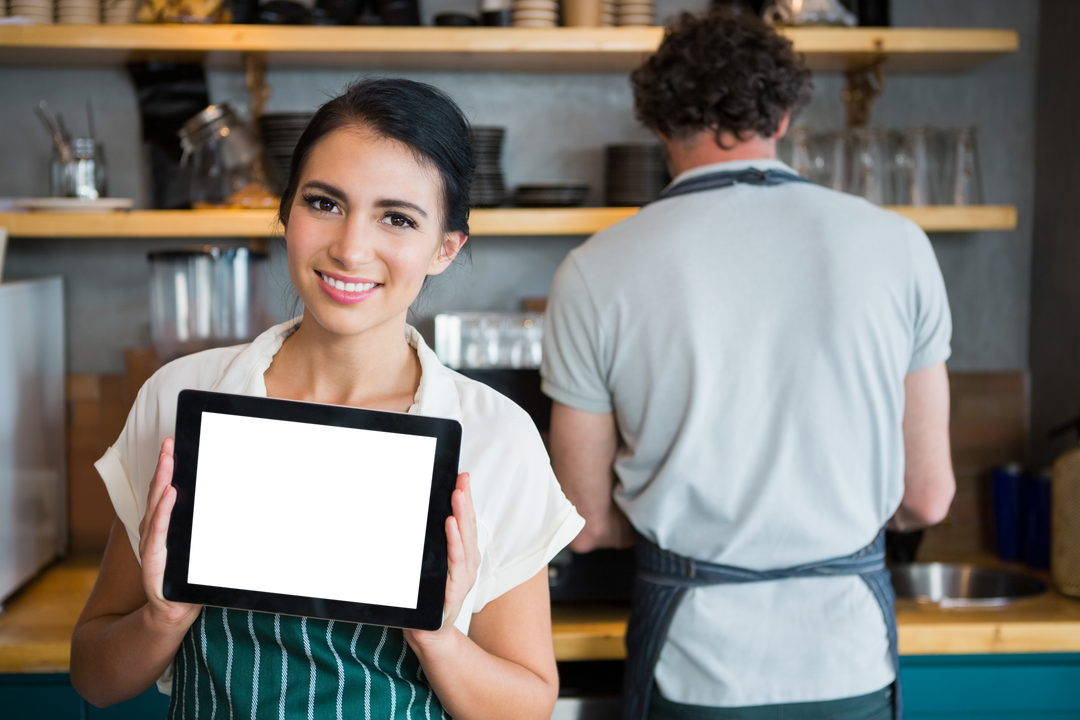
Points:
point(322, 512)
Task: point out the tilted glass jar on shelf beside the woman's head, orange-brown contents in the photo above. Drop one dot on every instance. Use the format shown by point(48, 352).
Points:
point(223, 161)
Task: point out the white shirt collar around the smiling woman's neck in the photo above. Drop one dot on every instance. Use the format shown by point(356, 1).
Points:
point(436, 398)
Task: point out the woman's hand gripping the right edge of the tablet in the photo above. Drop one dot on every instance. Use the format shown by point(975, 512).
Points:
point(464, 560)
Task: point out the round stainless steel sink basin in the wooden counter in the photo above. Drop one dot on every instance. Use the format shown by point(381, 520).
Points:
point(952, 586)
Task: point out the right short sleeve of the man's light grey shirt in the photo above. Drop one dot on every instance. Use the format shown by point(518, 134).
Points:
point(934, 321)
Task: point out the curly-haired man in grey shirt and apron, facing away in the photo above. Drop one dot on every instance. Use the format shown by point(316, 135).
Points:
point(749, 384)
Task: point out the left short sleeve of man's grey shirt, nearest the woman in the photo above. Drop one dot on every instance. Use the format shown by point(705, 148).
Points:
point(574, 372)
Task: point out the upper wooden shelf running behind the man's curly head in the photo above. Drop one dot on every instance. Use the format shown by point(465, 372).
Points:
point(588, 50)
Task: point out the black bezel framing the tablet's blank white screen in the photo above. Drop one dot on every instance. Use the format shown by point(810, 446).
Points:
point(427, 612)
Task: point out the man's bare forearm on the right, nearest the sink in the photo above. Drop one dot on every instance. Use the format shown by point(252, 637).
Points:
point(929, 484)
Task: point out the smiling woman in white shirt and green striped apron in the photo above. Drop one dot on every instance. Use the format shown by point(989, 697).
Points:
point(376, 202)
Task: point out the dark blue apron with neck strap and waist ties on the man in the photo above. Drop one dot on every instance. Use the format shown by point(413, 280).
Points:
point(664, 578)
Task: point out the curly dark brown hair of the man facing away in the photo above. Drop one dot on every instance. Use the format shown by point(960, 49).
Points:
point(725, 71)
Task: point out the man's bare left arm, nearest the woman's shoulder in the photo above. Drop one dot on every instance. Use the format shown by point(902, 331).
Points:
point(583, 455)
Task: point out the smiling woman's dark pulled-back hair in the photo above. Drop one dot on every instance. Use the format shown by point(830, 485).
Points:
point(418, 116)
